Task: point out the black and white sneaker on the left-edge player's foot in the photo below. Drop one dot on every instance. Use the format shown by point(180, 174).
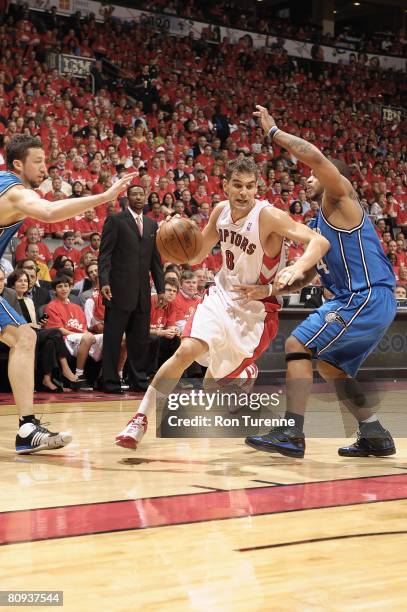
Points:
point(34, 437)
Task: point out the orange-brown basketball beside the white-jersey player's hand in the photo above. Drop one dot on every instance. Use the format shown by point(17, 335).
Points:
point(179, 240)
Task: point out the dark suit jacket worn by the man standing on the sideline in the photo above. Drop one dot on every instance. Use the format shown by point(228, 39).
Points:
point(126, 260)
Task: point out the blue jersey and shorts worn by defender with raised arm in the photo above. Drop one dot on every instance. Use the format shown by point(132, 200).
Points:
point(346, 329)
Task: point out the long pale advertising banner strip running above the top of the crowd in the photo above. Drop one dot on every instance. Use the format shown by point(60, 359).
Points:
point(184, 27)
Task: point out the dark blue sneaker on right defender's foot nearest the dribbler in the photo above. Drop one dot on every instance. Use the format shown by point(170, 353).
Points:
point(288, 441)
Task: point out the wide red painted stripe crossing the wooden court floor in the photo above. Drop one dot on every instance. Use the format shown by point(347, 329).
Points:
point(103, 517)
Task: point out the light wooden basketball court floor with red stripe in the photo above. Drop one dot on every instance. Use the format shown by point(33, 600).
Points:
point(200, 524)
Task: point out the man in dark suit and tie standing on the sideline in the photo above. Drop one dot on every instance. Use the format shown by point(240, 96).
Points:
point(128, 253)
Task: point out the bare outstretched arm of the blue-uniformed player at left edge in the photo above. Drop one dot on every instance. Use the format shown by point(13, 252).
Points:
point(20, 202)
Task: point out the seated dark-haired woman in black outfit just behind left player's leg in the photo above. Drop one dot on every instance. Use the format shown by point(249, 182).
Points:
point(51, 350)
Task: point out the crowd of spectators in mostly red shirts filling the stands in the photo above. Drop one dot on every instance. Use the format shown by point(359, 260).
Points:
point(189, 112)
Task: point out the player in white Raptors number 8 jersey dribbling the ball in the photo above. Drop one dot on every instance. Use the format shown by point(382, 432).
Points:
point(224, 335)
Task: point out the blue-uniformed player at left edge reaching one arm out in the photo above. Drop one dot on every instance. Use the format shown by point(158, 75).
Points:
point(25, 160)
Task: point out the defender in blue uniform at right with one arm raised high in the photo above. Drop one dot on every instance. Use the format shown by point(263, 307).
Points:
point(345, 330)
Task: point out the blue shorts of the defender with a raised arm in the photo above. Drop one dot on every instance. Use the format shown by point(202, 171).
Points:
point(345, 330)
